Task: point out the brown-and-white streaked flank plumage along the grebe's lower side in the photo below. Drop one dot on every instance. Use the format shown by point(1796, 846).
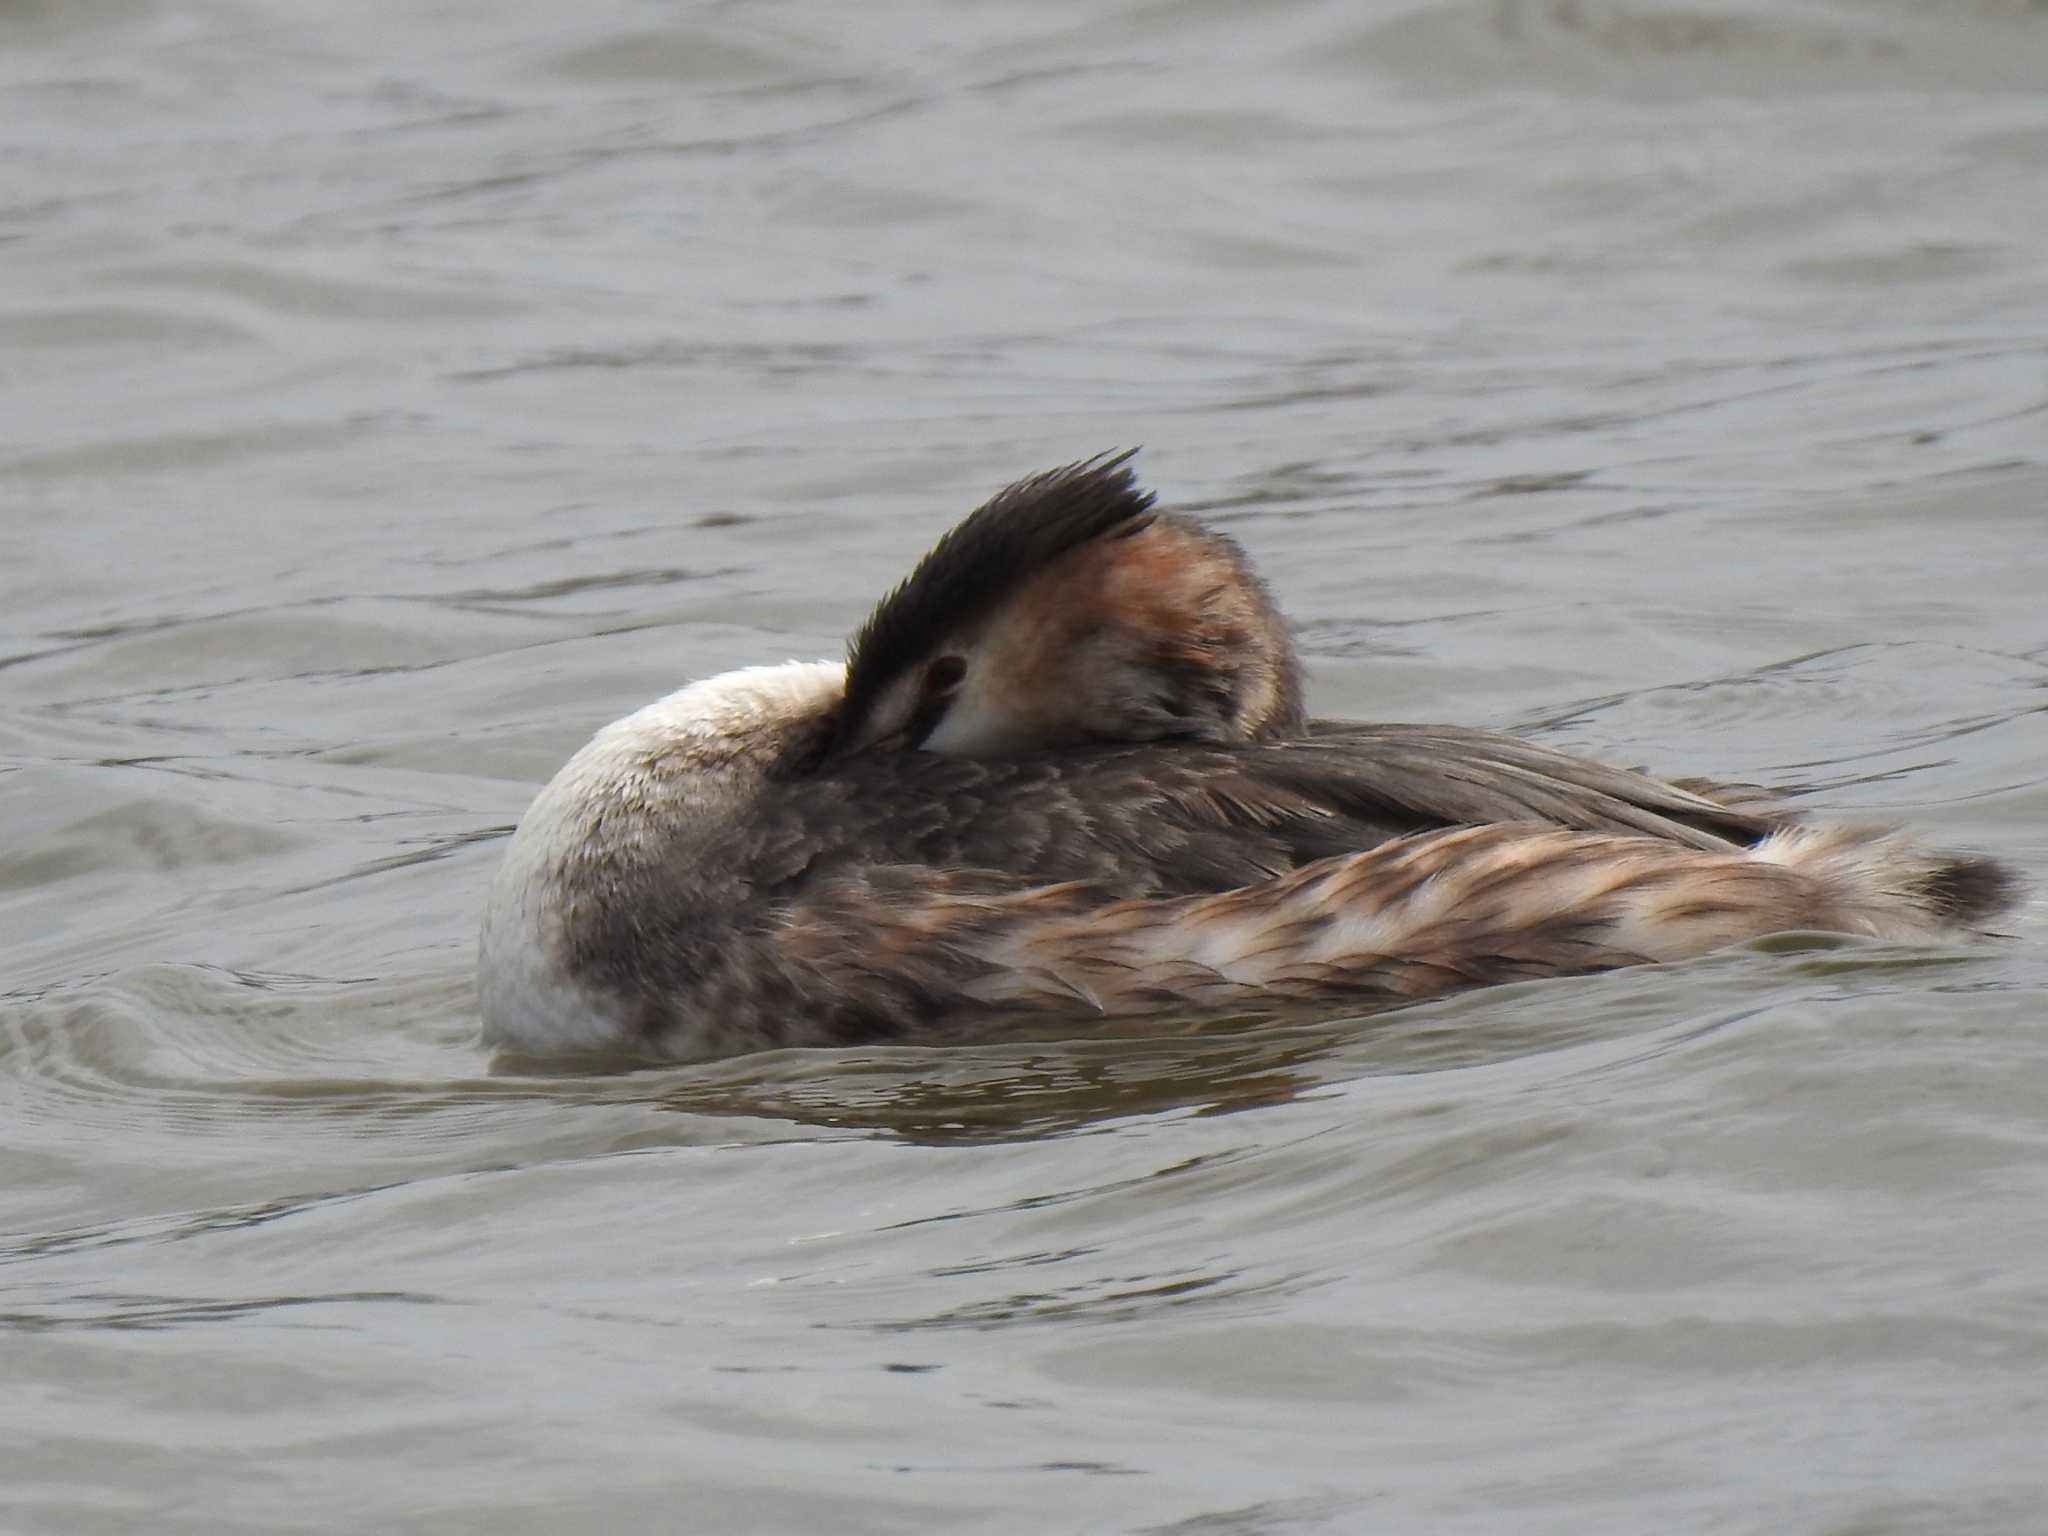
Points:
point(1412, 919)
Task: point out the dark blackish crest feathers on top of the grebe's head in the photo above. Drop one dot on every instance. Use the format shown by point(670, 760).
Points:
point(982, 560)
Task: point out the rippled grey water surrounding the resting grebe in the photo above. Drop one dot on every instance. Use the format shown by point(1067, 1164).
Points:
point(392, 394)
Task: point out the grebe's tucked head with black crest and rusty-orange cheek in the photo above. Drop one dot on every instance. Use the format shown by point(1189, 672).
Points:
point(1070, 611)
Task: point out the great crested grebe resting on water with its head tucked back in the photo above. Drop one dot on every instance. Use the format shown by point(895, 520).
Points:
point(1066, 775)
